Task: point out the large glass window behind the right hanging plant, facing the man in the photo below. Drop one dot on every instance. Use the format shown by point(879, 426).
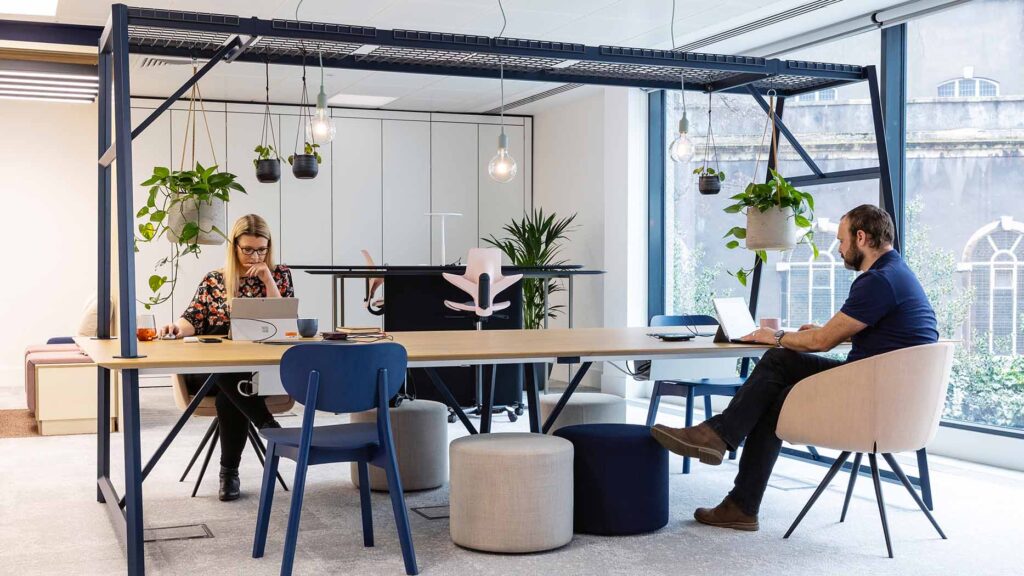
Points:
point(835, 127)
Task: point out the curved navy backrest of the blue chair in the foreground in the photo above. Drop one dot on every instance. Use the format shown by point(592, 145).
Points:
point(348, 375)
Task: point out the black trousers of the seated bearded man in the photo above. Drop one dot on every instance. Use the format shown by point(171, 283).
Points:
point(753, 415)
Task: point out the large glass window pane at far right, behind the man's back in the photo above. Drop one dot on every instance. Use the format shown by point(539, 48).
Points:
point(965, 177)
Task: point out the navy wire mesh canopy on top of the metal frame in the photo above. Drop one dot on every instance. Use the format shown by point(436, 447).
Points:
point(282, 42)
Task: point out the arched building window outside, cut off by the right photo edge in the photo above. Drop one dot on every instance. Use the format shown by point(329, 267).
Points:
point(994, 260)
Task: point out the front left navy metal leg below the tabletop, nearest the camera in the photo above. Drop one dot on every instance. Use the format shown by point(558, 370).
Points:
point(134, 475)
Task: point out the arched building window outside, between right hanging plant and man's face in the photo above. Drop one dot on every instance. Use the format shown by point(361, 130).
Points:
point(814, 291)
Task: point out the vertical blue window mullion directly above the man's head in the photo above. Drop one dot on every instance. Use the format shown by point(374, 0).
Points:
point(893, 93)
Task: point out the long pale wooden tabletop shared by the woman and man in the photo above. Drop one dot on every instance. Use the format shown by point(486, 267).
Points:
point(442, 347)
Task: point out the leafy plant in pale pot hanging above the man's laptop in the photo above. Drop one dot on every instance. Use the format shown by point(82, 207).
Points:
point(779, 216)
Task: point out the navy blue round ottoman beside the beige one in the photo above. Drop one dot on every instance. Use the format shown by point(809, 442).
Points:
point(621, 478)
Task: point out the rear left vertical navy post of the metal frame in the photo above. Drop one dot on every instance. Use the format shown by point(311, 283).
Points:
point(104, 270)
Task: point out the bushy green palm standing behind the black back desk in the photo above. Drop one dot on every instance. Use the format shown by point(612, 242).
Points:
point(534, 241)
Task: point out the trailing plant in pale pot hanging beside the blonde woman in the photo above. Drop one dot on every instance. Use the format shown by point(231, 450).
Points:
point(187, 207)
